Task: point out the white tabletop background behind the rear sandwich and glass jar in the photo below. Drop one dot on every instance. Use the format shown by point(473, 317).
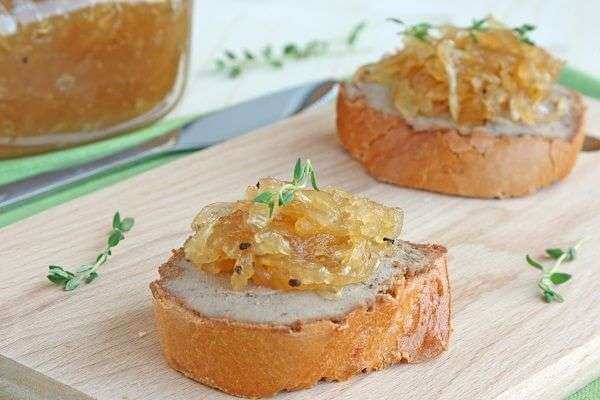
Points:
point(569, 29)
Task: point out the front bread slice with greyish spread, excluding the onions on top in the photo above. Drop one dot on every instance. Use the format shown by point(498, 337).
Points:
point(260, 341)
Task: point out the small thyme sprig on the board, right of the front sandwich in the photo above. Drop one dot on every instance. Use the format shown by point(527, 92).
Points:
point(552, 277)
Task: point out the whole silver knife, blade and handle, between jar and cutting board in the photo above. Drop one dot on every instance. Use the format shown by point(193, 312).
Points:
point(198, 134)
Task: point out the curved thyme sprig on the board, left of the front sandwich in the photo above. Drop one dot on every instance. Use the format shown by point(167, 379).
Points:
point(88, 272)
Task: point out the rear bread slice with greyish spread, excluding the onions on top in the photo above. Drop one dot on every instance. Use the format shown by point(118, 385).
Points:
point(497, 160)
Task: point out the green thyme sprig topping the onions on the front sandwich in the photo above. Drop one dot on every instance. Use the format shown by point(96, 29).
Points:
point(302, 174)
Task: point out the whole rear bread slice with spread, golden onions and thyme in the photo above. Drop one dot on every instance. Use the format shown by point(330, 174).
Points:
point(470, 111)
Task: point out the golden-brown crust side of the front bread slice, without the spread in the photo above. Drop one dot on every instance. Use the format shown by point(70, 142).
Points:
point(408, 322)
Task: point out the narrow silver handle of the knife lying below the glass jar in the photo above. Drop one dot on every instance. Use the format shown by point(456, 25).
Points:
point(25, 189)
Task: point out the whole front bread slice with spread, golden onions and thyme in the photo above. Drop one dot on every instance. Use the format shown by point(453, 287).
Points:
point(290, 286)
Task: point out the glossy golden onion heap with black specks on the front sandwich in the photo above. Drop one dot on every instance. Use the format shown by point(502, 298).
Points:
point(322, 240)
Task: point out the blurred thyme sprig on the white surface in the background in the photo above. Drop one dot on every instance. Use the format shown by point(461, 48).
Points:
point(233, 64)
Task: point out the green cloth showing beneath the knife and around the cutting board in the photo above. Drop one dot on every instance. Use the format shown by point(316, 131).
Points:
point(12, 170)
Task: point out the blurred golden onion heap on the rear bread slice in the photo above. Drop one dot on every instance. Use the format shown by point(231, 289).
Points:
point(470, 76)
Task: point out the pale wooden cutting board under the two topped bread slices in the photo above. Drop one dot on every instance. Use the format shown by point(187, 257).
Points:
point(100, 342)
